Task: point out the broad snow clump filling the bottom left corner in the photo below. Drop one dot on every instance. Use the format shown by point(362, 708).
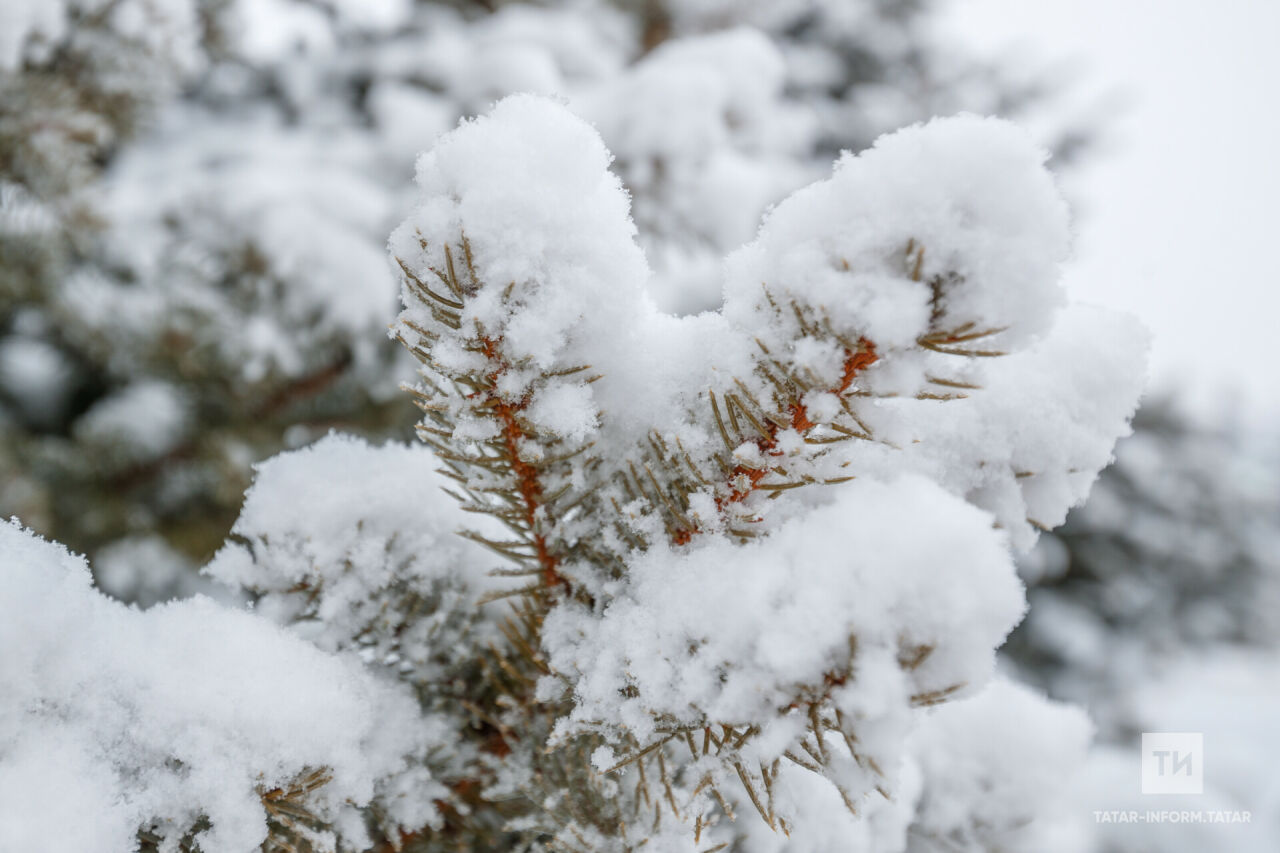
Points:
point(115, 720)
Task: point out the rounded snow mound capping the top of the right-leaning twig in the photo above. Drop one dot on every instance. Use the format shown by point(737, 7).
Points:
point(972, 193)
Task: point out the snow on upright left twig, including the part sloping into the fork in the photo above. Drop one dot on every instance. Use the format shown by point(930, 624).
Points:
point(555, 280)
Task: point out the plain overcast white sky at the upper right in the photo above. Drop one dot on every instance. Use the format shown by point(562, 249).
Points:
point(1182, 223)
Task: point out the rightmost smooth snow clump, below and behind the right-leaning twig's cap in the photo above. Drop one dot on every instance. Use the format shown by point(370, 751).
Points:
point(1031, 441)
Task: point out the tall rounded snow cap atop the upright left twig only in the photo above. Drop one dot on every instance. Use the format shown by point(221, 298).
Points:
point(529, 188)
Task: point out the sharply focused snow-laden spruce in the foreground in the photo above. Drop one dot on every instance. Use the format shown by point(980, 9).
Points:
point(732, 581)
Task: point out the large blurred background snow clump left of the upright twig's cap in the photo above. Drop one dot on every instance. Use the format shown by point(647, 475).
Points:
point(291, 220)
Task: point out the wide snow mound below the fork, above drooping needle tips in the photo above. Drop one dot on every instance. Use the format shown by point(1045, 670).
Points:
point(729, 632)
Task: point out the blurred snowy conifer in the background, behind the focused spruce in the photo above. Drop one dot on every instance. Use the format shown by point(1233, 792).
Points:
point(195, 195)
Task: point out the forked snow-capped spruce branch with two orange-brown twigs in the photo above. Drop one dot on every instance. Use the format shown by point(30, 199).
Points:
point(602, 518)
